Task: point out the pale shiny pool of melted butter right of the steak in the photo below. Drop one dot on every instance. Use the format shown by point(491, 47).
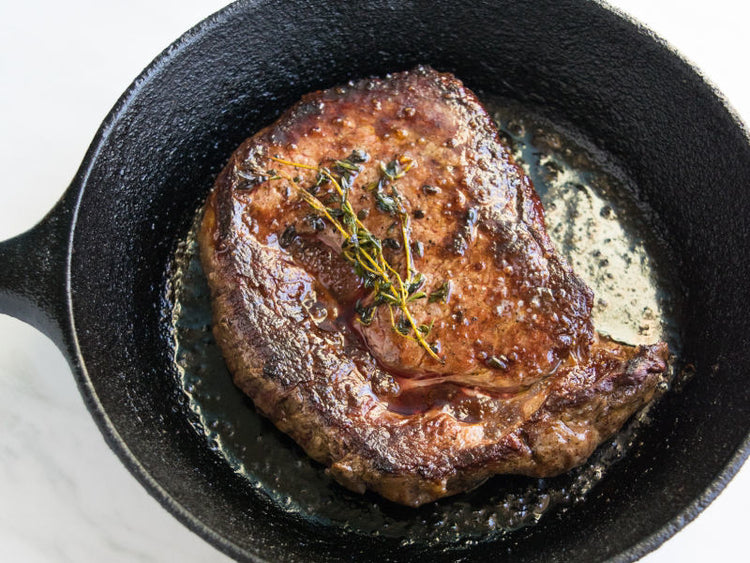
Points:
point(596, 223)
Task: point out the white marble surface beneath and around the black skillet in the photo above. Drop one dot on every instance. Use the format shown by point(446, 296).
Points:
point(63, 495)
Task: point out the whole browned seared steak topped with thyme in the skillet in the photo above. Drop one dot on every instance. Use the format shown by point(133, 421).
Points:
point(505, 373)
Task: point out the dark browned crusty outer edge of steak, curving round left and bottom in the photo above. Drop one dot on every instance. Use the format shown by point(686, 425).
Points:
point(324, 398)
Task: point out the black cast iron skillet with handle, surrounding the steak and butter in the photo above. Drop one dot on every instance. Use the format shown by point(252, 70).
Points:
point(92, 274)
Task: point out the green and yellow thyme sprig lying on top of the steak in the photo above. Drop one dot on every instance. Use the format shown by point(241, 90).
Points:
point(360, 247)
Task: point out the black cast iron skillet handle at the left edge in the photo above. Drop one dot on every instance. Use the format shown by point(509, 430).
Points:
point(33, 267)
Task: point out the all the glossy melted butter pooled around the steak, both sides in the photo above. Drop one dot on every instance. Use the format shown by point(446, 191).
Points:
point(603, 232)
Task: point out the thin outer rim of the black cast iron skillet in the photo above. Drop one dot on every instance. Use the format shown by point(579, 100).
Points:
point(115, 441)
